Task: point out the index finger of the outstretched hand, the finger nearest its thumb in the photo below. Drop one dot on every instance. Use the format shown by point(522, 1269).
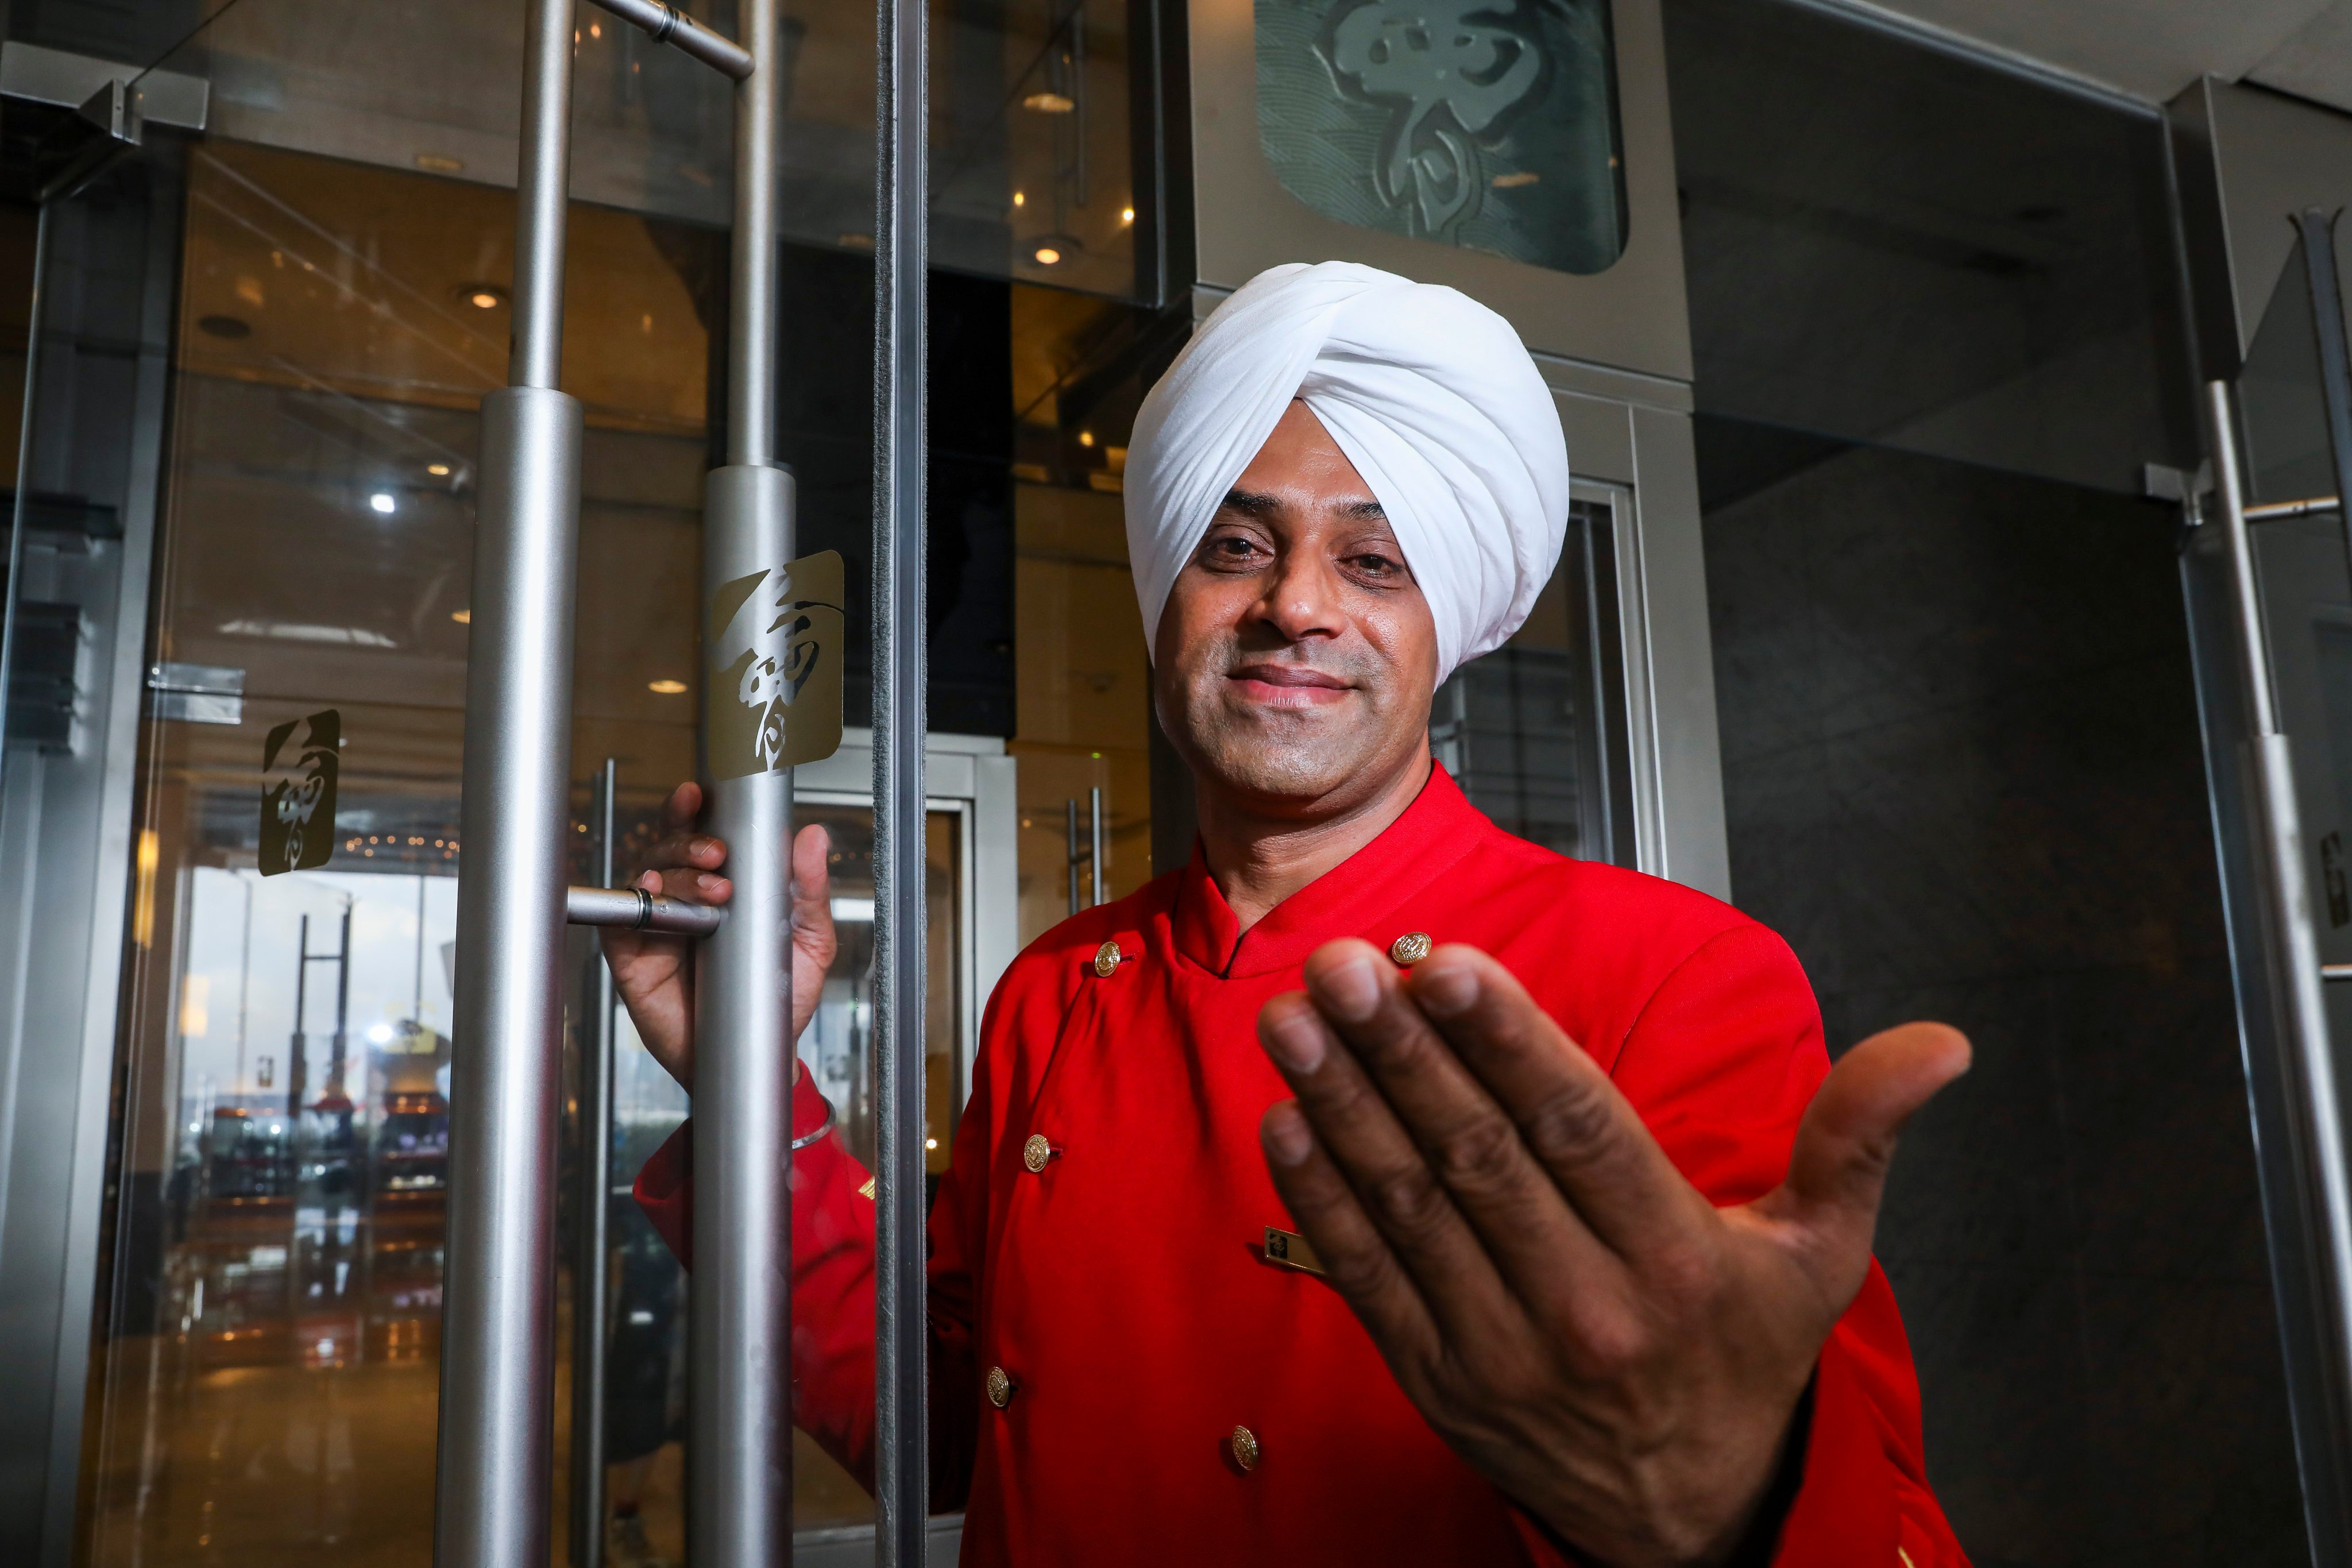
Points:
point(1568, 1111)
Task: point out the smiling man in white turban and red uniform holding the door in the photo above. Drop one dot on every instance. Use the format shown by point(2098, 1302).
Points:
point(1377, 1188)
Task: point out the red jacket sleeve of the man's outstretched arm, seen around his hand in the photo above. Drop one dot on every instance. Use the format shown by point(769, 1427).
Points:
point(1723, 1064)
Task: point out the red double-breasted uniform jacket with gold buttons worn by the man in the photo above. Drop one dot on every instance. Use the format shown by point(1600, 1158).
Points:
point(1125, 1294)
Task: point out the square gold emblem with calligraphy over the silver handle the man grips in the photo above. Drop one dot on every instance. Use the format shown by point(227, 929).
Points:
point(775, 692)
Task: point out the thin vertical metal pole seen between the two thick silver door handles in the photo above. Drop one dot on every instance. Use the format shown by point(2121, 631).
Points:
point(592, 1264)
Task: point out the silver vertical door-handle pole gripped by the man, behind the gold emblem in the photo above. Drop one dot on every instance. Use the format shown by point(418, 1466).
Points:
point(740, 1447)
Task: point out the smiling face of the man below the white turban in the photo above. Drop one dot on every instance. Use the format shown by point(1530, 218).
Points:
point(1297, 657)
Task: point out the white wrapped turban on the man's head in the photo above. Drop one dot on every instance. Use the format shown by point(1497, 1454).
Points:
point(1429, 394)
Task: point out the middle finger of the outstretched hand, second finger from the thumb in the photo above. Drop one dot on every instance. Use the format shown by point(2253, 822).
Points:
point(1466, 1139)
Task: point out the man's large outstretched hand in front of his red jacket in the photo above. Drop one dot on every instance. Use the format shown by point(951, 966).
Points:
point(1570, 1313)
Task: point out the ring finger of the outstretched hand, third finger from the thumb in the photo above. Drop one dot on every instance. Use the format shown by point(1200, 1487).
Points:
point(1379, 1160)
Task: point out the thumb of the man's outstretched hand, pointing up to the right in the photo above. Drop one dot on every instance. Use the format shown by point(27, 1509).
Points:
point(1847, 1141)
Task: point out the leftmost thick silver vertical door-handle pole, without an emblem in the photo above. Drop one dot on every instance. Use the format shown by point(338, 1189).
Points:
point(500, 1289)
